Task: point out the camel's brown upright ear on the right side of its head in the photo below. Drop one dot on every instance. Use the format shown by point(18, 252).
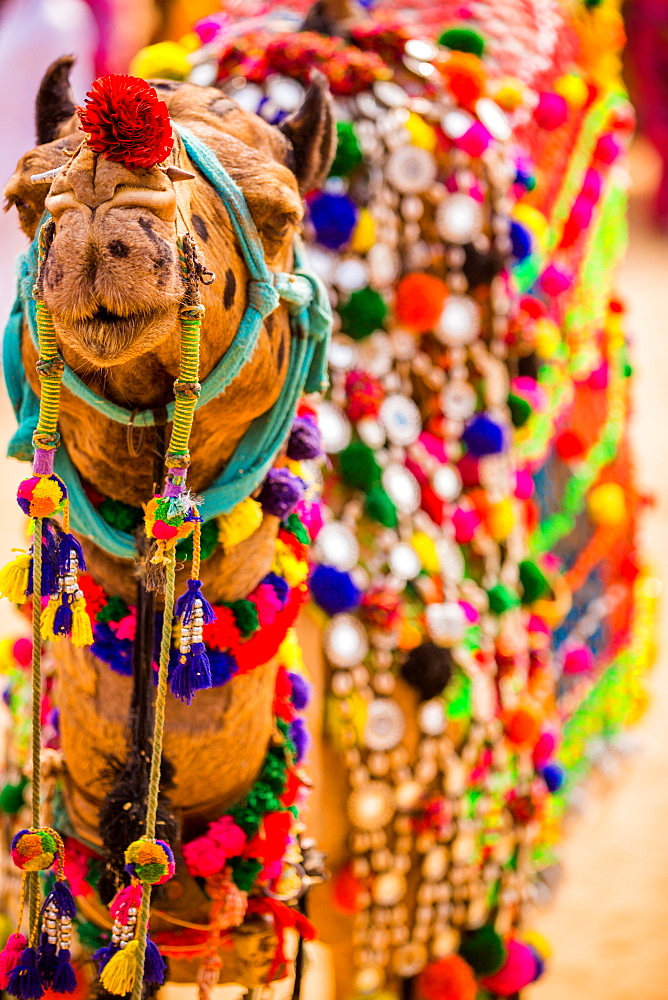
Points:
point(312, 134)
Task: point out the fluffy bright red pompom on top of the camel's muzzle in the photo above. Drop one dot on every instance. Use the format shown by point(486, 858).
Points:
point(127, 122)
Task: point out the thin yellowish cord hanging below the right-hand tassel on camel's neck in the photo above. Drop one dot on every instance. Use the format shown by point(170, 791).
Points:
point(154, 775)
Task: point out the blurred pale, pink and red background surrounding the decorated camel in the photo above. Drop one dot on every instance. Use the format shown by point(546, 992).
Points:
point(607, 919)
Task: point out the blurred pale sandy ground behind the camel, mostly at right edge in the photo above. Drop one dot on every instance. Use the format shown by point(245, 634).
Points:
point(607, 924)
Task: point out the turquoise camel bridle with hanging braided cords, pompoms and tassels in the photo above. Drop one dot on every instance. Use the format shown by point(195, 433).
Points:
point(50, 569)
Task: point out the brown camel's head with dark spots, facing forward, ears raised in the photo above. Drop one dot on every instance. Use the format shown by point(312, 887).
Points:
point(111, 277)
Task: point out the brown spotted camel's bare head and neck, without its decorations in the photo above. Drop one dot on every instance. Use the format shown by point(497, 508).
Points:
point(112, 283)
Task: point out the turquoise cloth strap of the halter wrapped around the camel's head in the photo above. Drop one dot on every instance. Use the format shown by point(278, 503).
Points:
point(309, 307)
